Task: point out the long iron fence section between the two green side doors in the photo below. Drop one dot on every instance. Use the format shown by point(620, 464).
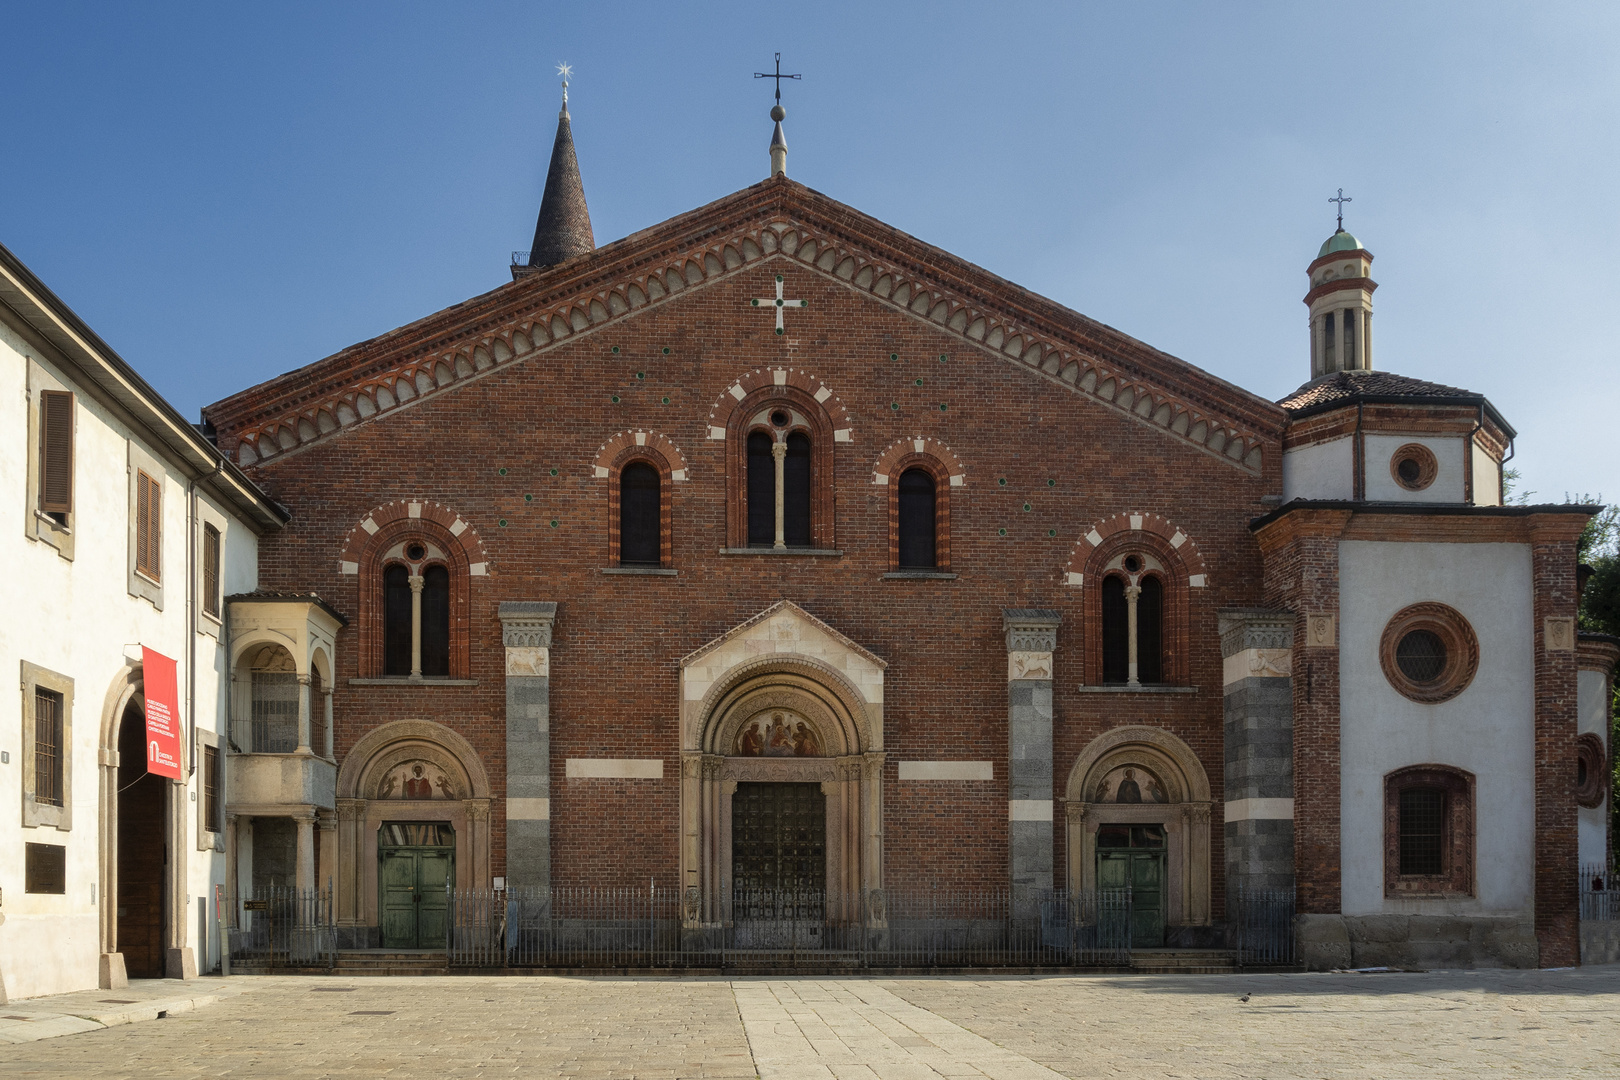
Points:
point(783, 930)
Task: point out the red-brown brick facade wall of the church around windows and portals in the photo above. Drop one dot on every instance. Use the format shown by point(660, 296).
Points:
point(620, 639)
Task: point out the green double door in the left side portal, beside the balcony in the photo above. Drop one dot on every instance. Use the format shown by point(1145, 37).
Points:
point(417, 867)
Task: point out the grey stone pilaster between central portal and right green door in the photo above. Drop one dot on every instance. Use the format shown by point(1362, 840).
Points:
point(1033, 639)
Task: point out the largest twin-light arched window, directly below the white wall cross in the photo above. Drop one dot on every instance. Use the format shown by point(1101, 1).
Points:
point(783, 501)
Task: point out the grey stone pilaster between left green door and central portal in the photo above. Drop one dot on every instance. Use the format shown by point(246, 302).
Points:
point(526, 632)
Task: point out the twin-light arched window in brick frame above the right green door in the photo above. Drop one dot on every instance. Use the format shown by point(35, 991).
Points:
point(1138, 608)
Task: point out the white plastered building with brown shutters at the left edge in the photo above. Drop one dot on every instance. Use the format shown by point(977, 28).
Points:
point(126, 532)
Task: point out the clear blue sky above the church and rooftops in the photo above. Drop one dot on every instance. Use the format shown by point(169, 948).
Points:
point(229, 192)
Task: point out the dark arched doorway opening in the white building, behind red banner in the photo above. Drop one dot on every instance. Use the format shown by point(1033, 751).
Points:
point(143, 853)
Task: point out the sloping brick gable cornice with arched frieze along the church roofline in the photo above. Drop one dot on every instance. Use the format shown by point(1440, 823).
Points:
point(772, 219)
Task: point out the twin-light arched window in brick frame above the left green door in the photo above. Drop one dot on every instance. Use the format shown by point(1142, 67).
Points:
point(414, 564)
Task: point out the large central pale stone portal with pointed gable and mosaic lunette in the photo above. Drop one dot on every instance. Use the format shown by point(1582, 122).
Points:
point(782, 700)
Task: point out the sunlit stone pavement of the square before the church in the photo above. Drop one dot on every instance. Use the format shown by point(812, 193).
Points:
point(1446, 1024)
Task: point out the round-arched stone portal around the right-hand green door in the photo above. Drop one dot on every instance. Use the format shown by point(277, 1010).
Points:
point(1140, 817)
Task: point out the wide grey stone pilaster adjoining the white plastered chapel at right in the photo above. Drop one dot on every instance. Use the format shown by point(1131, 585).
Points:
point(1260, 736)
